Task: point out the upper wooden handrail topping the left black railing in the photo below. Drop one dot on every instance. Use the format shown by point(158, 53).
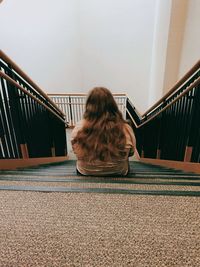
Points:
point(27, 78)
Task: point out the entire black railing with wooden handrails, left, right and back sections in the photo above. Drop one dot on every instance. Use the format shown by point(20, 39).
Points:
point(32, 124)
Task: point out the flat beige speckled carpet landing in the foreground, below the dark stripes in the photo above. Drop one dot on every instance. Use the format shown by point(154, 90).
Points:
point(89, 229)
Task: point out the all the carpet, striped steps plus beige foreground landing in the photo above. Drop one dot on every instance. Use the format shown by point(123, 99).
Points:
point(52, 227)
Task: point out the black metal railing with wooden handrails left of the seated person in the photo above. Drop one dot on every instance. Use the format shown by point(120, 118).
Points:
point(31, 125)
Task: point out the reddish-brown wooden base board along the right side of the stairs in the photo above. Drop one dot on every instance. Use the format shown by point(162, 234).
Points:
point(178, 165)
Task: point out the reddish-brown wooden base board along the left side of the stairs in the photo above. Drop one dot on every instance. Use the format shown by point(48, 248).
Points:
point(10, 164)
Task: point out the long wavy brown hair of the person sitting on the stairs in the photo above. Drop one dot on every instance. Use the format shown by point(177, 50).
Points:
point(102, 134)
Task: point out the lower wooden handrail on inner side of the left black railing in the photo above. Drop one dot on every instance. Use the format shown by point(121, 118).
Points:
point(5, 76)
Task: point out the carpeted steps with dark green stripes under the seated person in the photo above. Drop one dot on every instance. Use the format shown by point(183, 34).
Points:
point(143, 179)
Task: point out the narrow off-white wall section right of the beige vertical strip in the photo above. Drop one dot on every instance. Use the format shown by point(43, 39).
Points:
point(191, 43)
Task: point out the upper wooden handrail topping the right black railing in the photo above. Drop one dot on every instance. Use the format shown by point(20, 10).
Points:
point(175, 87)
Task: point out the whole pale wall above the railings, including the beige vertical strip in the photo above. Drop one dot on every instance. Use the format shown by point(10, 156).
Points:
point(74, 45)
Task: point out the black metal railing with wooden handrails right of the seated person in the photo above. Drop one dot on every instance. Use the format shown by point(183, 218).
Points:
point(170, 130)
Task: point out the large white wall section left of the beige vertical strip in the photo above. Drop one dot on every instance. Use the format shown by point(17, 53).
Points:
point(74, 45)
